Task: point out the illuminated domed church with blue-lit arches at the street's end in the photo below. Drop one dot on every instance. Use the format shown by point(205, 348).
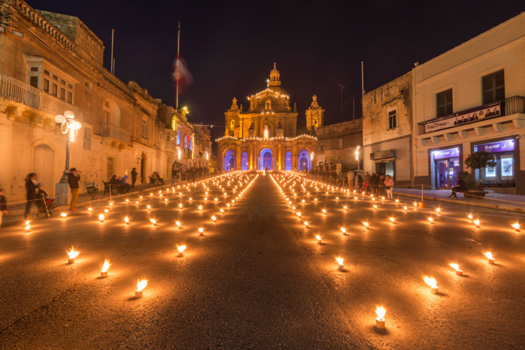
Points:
point(266, 136)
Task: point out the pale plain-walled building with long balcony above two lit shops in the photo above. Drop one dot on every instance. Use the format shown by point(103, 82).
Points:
point(471, 99)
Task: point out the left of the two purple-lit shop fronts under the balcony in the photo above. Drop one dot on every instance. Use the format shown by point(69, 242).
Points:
point(445, 167)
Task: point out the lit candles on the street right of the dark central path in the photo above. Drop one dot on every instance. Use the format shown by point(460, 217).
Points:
point(430, 281)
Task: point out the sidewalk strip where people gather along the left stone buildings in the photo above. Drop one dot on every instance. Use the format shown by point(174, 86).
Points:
point(16, 212)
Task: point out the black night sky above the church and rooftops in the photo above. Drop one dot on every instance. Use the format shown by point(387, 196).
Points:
point(230, 46)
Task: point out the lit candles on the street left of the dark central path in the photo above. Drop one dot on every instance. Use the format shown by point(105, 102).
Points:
point(143, 283)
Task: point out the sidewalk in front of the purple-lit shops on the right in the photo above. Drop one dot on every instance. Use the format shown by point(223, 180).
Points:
point(492, 200)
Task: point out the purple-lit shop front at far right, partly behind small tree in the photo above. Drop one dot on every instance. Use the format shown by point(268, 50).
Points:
point(503, 173)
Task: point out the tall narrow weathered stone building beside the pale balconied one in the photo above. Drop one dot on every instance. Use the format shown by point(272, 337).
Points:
point(387, 129)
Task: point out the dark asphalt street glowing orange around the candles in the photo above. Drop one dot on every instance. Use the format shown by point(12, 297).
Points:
point(258, 278)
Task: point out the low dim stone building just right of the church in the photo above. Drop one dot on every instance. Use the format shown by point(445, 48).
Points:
point(337, 144)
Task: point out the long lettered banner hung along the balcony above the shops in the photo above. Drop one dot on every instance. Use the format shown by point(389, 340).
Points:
point(468, 116)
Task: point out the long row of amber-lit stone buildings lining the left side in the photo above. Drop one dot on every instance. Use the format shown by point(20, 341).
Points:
point(52, 63)
